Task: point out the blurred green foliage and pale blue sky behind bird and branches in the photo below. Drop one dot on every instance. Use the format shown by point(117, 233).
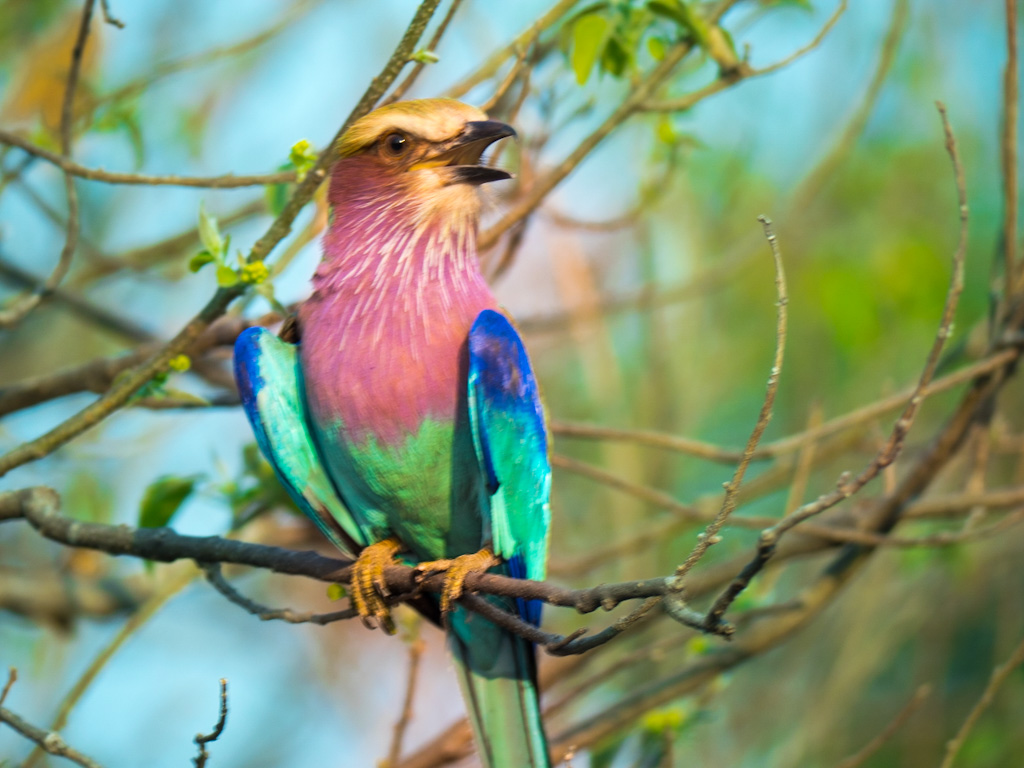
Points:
point(646, 290)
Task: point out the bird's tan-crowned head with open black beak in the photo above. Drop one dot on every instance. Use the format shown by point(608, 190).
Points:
point(428, 152)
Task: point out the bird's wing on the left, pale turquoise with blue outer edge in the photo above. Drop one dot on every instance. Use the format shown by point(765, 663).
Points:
point(270, 379)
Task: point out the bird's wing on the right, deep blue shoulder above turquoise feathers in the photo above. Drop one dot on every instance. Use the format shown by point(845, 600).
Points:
point(511, 444)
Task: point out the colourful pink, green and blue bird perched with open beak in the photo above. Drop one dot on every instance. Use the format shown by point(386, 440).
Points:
point(401, 410)
